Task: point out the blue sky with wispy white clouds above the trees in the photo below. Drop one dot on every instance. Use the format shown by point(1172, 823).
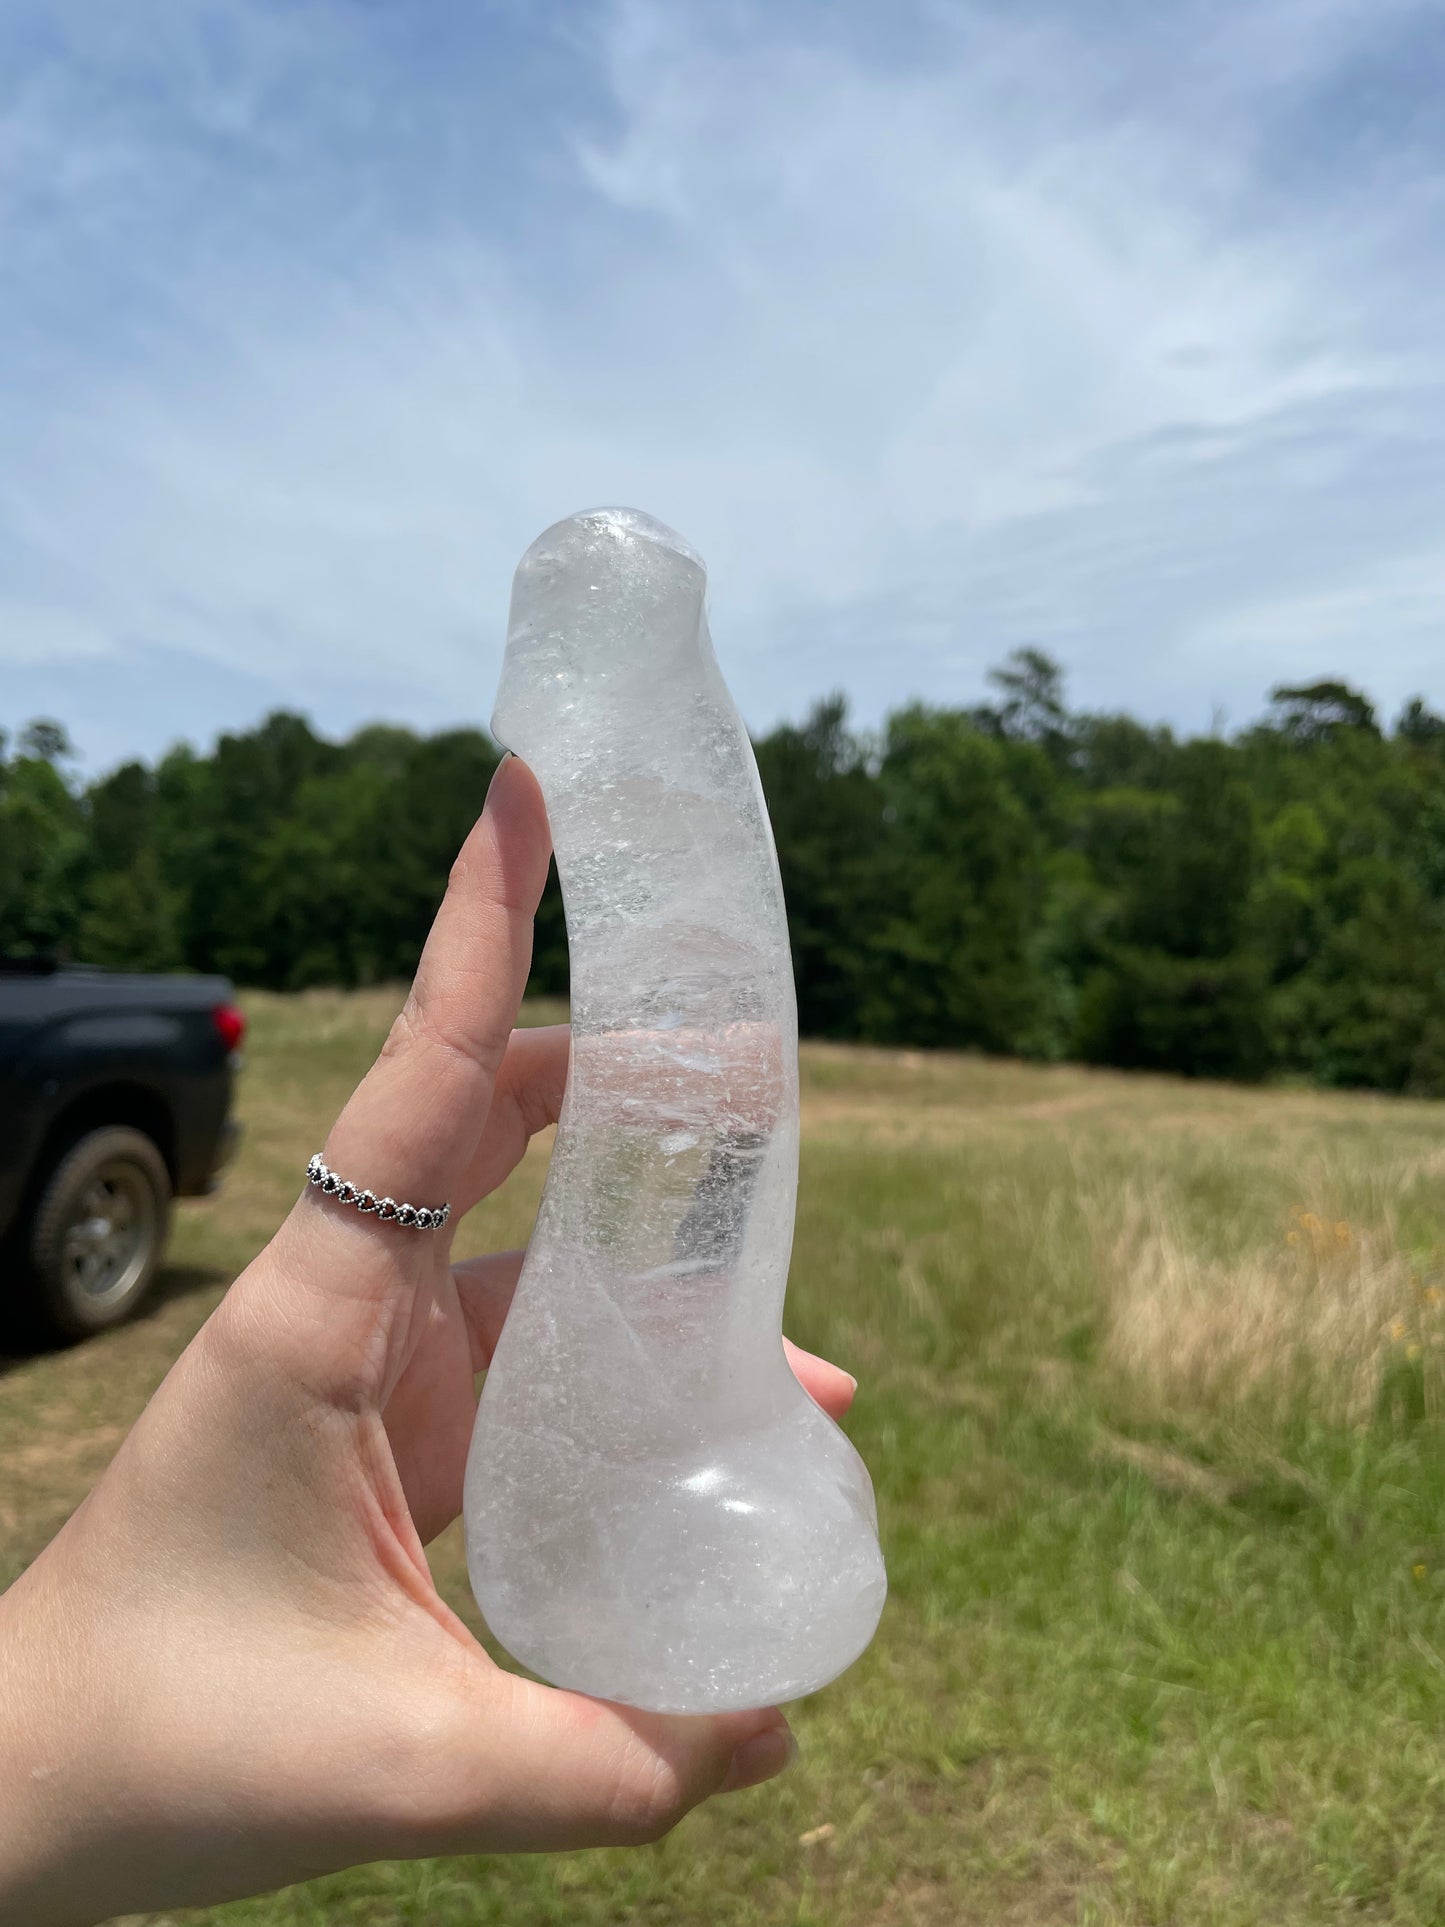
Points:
point(939, 329)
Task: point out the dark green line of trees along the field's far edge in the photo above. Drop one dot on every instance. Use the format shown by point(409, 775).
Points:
point(1014, 878)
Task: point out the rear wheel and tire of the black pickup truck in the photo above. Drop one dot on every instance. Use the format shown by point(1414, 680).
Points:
point(99, 1232)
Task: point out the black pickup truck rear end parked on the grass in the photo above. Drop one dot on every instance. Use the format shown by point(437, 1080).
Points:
point(115, 1097)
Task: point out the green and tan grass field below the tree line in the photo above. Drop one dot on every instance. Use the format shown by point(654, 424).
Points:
point(1153, 1390)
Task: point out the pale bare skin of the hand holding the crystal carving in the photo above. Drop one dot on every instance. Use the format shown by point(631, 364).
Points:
point(232, 1670)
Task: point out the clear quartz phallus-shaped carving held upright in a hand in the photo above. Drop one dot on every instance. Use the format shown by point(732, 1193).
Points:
point(656, 1510)
